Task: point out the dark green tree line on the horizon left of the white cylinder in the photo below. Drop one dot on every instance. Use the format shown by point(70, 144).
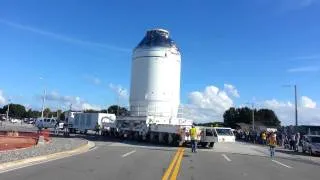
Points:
point(19, 111)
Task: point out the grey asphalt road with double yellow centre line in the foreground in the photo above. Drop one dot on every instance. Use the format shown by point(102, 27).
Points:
point(124, 161)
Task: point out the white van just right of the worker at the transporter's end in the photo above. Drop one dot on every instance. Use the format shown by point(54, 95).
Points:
point(223, 134)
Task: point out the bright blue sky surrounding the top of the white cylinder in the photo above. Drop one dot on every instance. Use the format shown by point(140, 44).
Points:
point(83, 48)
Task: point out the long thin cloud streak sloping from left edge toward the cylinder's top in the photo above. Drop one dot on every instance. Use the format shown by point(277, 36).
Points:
point(62, 37)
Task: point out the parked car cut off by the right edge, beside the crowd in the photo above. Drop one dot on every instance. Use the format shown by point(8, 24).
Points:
point(311, 144)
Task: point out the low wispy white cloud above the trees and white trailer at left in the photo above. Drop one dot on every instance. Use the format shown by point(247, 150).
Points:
point(65, 101)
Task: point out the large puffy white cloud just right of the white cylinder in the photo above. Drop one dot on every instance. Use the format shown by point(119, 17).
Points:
point(208, 105)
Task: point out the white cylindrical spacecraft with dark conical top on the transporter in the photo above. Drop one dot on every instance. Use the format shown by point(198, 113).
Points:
point(155, 76)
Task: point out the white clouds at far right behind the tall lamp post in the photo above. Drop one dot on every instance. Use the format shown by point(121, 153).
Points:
point(285, 111)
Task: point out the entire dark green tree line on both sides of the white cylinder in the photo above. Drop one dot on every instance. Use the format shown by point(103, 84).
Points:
point(231, 117)
